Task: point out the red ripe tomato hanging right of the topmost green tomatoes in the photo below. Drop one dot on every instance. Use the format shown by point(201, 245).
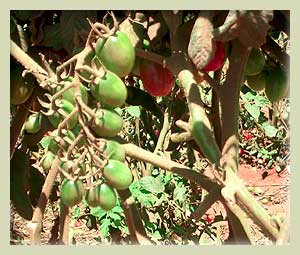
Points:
point(157, 80)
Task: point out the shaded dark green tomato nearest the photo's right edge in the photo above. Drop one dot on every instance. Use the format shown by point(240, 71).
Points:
point(277, 84)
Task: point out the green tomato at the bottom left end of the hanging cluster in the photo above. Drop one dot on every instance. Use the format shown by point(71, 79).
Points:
point(71, 192)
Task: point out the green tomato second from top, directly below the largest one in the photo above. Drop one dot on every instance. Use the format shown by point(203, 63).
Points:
point(110, 90)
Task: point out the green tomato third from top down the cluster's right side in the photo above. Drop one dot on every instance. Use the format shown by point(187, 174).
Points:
point(108, 124)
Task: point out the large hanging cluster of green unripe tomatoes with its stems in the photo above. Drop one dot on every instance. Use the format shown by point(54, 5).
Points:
point(103, 94)
